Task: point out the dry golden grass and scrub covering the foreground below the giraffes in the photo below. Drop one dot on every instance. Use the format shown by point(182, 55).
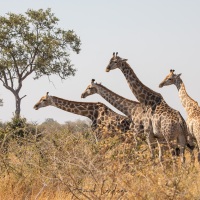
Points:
point(61, 164)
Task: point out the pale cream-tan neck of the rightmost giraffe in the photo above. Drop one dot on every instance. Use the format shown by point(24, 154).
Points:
point(188, 103)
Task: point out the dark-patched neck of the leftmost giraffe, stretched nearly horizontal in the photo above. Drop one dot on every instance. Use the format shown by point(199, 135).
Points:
point(86, 109)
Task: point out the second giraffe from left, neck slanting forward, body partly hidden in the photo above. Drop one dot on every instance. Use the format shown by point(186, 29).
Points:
point(132, 109)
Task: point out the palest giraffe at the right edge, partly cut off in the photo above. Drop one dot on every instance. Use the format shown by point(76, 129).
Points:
point(191, 107)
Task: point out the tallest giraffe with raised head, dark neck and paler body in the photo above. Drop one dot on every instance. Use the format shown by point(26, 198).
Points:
point(162, 122)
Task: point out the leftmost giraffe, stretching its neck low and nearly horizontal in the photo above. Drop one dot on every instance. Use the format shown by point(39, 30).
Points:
point(104, 120)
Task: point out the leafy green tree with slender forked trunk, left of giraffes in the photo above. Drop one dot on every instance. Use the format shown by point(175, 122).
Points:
point(33, 44)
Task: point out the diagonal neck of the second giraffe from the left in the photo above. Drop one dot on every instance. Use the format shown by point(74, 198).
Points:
point(119, 102)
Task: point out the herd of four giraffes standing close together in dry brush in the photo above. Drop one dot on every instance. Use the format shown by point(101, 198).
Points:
point(151, 116)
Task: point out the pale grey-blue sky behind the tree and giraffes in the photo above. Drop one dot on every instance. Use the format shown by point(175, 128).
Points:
point(154, 35)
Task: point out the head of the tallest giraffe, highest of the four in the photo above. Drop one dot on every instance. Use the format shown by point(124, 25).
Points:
point(115, 62)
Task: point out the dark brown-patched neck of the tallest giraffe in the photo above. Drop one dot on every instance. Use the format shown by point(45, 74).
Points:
point(143, 94)
